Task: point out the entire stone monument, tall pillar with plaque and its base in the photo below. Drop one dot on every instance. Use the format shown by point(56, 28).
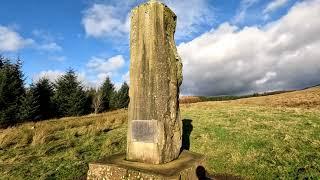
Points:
point(154, 137)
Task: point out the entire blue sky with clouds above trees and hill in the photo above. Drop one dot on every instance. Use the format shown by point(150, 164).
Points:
point(228, 47)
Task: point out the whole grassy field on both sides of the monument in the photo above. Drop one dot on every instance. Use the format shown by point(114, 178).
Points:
point(267, 137)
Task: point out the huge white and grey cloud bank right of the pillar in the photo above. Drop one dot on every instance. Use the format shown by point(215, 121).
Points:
point(283, 54)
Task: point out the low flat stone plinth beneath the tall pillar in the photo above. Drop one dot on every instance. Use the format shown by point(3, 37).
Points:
point(116, 167)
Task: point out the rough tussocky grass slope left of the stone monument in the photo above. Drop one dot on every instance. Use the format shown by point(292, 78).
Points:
point(60, 148)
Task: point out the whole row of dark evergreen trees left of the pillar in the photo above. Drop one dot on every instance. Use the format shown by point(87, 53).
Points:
point(44, 99)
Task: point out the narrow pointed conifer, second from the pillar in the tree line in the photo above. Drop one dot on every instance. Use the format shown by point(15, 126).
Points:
point(107, 91)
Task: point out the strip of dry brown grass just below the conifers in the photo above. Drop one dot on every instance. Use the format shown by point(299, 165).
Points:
point(43, 132)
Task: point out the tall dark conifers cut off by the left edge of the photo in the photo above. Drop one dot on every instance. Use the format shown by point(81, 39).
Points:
point(11, 91)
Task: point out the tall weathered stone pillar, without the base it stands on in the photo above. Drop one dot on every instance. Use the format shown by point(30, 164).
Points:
point(155, 78)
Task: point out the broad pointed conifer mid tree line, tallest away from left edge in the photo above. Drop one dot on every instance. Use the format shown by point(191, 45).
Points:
point(70, 98)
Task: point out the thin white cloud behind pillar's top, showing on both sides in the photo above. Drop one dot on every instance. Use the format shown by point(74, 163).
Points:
point(107, 20)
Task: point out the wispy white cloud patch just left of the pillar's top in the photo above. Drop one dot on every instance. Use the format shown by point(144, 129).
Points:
point(103, 20)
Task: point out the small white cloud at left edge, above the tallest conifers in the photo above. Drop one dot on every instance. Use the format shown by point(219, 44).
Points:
point(11, 40)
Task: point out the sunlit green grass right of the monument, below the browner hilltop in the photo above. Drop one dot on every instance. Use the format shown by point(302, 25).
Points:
point(256, 142)
